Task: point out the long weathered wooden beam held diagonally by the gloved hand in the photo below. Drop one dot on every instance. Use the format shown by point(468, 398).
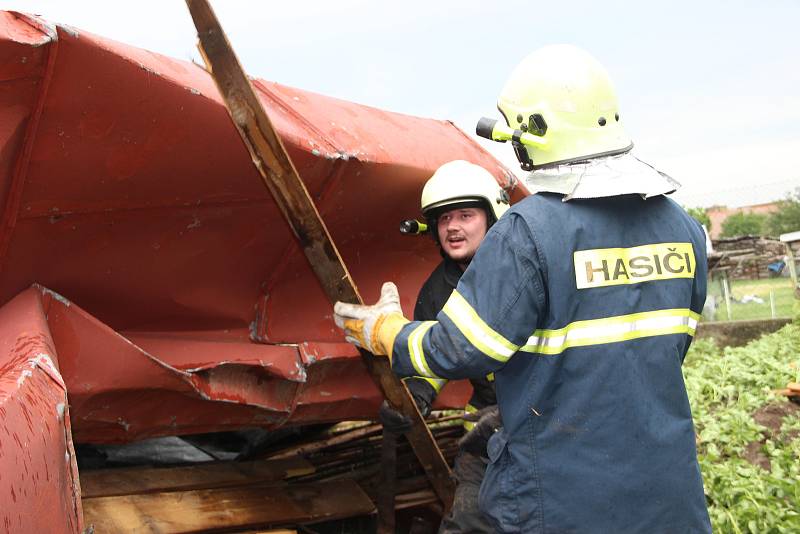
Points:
point(290, 194)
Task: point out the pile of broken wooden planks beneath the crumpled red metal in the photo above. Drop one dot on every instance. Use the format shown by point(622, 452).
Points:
point(314, 484)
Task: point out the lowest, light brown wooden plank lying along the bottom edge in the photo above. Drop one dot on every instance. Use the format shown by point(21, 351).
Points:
point(226, 508)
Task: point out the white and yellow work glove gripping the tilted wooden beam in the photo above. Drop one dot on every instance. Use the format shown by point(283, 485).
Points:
point(375, 327)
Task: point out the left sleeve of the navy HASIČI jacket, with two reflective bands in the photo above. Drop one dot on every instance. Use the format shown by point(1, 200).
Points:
point(493, 311)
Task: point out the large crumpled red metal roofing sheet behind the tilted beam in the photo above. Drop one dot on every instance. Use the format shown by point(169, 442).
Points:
point(137, 237)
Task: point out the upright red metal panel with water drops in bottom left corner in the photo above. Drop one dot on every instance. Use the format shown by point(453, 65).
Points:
point(39, 487)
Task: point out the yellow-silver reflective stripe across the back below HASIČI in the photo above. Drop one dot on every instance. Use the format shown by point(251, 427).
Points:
point(612, 330)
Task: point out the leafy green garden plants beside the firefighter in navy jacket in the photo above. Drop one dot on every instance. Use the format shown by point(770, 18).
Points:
point(748, 437)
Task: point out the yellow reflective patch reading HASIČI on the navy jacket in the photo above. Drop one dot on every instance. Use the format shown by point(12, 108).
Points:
point(614, 266)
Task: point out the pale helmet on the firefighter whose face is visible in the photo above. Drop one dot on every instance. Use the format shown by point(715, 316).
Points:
point(462, 182)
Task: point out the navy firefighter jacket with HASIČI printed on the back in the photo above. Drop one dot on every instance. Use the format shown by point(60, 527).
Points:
point(584, 312)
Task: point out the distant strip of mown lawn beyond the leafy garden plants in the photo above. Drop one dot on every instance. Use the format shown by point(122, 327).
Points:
point(781, 289)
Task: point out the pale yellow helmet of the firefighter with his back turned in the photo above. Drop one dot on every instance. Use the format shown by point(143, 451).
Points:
point(562, 107)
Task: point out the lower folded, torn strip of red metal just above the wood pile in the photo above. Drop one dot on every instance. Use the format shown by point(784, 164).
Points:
point(126, 387)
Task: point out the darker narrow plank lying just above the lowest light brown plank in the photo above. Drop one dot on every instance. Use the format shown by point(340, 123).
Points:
point(125, 481)
